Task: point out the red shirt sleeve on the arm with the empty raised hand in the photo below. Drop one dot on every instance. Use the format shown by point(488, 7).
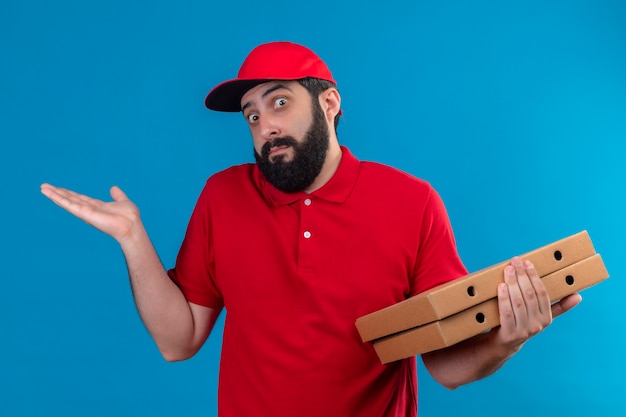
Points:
point(195, 267)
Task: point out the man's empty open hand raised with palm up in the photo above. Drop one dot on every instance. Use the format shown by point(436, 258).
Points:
point(116, 218)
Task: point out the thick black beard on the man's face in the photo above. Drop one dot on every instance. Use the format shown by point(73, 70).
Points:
point(308, 156)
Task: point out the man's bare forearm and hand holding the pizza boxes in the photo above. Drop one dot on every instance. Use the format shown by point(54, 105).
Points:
point(525, 310)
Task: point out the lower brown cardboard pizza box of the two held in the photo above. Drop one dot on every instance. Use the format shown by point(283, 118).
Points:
point(484, 316)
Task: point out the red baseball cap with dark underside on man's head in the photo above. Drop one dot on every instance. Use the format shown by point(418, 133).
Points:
point(267, 62)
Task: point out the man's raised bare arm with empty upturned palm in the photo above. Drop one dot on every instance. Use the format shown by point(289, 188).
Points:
point(178, 327)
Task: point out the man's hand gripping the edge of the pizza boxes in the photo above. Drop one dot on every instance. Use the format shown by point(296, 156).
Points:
point(524, 305)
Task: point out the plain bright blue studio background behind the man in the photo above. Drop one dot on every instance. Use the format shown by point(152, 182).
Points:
point(514, 111)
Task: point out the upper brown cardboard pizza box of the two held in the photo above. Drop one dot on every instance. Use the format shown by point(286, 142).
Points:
point(468, 291)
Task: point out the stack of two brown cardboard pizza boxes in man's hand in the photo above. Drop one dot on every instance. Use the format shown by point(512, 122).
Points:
point(468, 306)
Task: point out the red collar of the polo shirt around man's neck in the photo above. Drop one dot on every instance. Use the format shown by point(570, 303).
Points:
point(336, 190)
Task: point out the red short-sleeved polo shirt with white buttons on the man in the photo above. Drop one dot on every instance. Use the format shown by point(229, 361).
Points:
point(295, 271)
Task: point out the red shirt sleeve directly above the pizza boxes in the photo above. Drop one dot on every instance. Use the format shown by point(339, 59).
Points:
point(437, 260)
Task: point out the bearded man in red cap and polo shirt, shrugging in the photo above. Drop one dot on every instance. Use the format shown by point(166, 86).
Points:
point(296, 247)
